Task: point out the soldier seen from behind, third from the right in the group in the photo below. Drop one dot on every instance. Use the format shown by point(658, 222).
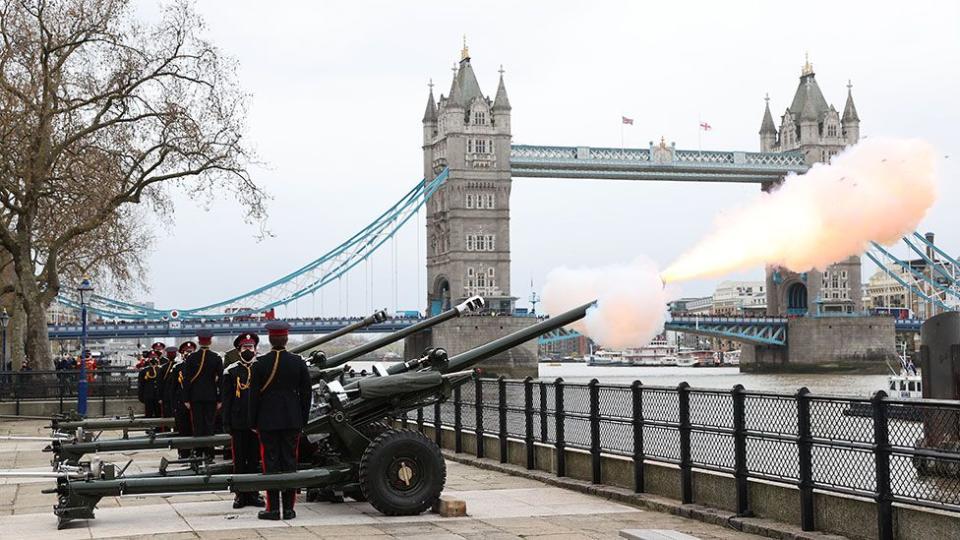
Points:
point(201, 388)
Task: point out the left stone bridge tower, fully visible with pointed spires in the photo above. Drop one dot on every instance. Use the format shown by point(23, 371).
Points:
point(468, 218)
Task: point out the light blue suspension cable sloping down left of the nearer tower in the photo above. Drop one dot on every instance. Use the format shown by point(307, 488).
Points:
point(306, 280)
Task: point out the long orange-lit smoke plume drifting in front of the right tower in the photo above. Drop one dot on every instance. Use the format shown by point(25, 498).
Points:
point(877, 190)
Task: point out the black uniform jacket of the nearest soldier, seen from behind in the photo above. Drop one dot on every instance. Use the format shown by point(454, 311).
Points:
point(280, 391)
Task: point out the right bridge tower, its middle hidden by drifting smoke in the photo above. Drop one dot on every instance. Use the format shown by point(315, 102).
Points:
point(815, 128)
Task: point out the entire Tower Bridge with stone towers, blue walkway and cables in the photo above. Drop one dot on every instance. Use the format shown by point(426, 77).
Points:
point(469, 163)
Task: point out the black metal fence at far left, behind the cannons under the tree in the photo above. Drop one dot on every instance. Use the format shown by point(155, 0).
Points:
point(103, 384)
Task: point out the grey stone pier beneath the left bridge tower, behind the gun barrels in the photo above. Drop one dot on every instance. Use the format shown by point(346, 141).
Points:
point(465, 333)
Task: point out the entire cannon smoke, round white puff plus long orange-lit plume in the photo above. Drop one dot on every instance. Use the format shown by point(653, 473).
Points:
point(878, 190)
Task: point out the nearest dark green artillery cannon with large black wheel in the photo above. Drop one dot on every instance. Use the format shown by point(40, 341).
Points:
point(400, 472)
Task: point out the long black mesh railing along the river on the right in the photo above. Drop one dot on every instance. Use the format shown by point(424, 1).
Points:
point(884, 449)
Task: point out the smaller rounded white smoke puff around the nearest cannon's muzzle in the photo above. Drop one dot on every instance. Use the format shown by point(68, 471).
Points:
point(631, 301)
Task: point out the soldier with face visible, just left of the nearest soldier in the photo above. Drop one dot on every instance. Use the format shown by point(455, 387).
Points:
point(235, 392)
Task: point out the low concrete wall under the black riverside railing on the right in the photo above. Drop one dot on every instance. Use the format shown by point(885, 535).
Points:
point(852, 517)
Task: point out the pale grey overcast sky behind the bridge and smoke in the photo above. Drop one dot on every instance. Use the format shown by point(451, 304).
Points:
point(338, 89)
